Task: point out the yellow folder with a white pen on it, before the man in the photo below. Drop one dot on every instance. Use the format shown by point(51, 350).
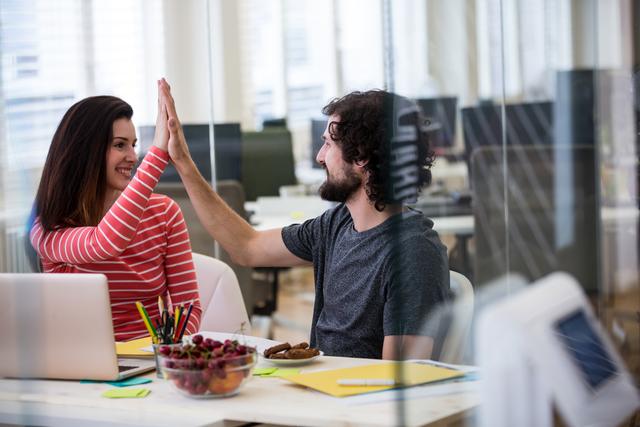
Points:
point(413, 374)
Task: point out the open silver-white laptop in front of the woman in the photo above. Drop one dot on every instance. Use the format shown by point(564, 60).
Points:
point(60, 326)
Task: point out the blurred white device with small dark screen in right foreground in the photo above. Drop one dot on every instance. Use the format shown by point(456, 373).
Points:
point(543, 348)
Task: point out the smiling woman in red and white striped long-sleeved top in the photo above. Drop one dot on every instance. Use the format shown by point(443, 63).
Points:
point(93, 217)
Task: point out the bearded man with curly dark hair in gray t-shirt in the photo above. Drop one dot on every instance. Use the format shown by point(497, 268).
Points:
point(379, 267)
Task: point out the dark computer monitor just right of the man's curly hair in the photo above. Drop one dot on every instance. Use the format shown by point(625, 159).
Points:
point(441, 113)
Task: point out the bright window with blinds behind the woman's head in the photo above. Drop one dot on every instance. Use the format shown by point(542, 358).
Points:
point(53, 54)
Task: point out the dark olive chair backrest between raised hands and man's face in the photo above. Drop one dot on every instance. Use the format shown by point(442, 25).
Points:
point(267, 162)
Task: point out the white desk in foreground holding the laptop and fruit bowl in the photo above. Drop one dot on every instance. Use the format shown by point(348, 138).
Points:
point(262, 400)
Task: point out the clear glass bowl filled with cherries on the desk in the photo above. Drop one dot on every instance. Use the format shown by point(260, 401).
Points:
point(203, 377)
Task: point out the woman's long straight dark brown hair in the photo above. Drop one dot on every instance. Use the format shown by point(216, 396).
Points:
point(73, 183)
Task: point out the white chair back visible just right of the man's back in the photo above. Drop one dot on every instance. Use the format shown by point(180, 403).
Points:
point(461, 316)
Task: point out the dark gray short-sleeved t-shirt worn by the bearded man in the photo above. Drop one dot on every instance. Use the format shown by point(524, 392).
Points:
point(383, 281)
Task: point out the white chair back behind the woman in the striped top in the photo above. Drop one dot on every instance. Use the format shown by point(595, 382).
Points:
point(223, 308)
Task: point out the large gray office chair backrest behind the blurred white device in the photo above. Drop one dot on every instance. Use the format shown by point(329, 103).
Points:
point(552, 213)
